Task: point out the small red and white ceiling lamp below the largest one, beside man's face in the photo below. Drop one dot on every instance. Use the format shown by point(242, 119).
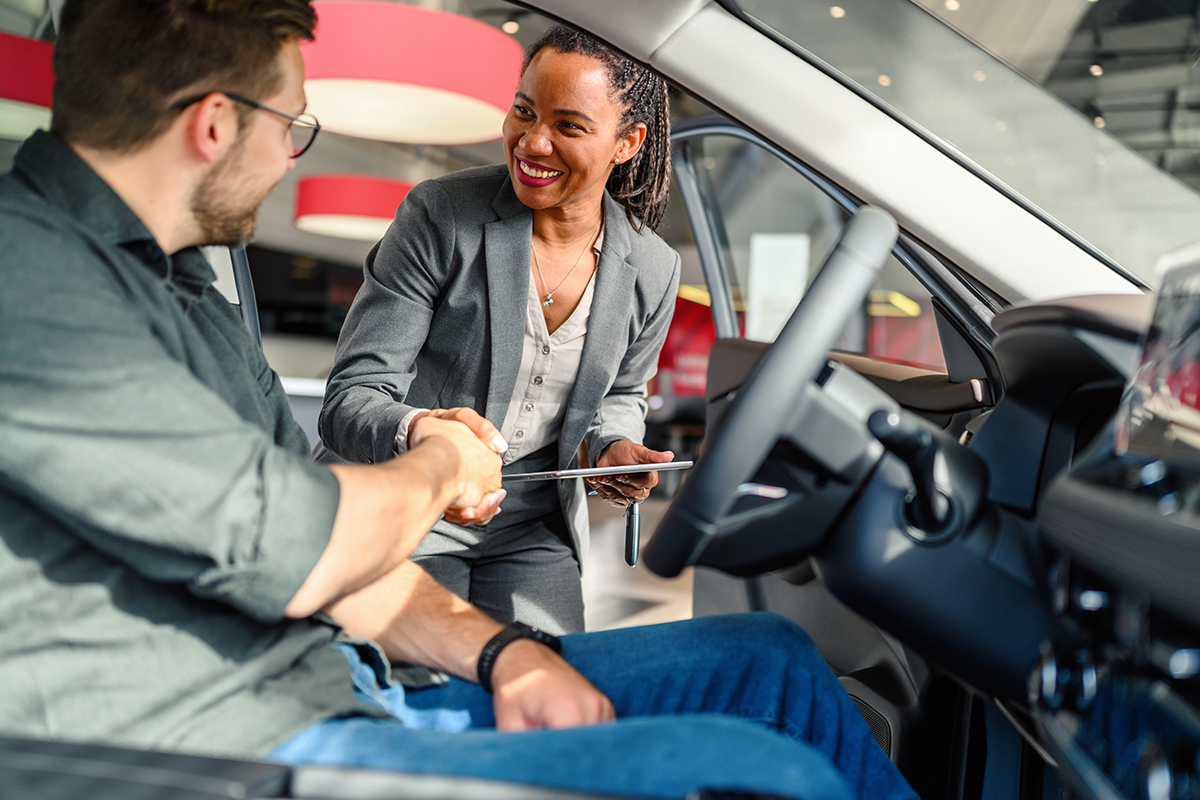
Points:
point(347, 207)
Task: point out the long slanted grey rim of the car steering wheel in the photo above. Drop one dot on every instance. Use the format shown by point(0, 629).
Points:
point(766, 405)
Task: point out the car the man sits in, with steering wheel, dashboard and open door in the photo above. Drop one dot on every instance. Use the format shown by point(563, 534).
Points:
point(949, 430)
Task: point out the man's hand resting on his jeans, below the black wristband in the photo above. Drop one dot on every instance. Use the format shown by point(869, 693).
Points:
point(536, 689)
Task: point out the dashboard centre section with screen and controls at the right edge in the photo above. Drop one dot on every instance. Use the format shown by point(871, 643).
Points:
point(1117, 695)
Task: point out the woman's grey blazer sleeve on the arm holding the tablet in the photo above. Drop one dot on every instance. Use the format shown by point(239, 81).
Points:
point(622, 413)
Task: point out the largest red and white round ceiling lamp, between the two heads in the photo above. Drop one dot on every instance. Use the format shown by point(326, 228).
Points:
point(404, 74)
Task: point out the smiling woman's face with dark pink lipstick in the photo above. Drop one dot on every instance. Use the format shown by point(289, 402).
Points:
point(561, 137)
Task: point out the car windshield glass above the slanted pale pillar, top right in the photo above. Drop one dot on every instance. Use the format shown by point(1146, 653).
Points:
point(1001, 122)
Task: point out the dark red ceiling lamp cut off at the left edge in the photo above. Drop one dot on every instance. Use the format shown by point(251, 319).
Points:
point(27, 82)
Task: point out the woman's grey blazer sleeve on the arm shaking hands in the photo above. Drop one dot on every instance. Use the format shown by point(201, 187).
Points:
point(387, 328)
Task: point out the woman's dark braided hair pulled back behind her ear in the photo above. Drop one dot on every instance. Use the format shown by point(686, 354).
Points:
point(643, 183)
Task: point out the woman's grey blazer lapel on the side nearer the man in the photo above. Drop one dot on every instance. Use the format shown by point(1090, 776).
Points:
point(507, 252)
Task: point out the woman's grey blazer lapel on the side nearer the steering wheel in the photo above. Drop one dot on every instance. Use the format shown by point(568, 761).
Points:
point(613, 305)
